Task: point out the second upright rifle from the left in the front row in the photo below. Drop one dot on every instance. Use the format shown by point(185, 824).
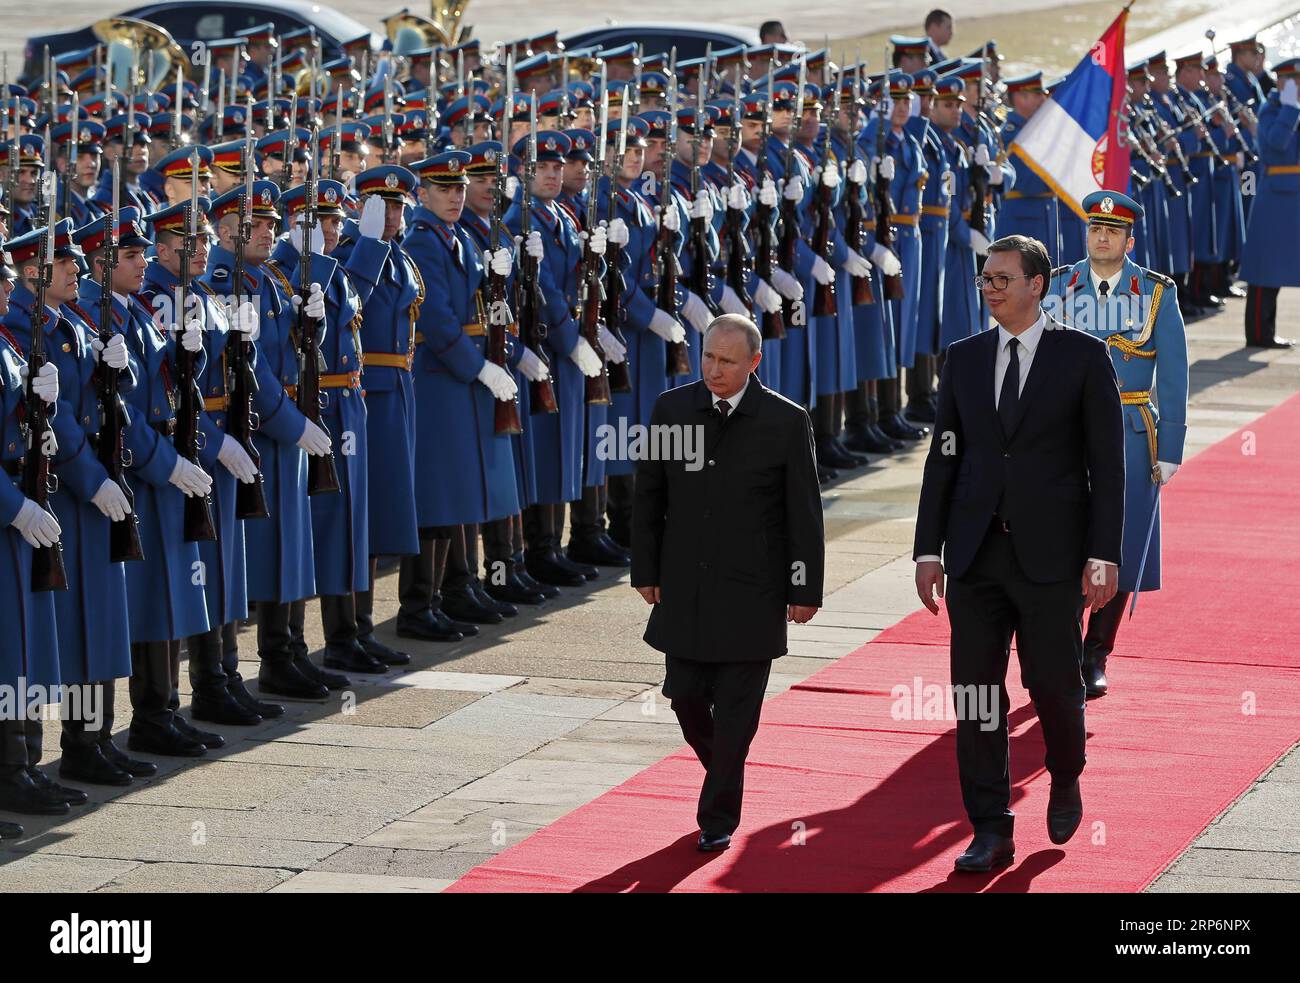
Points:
point(124, 534)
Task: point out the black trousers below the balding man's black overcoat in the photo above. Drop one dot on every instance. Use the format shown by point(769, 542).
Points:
point(718, 705)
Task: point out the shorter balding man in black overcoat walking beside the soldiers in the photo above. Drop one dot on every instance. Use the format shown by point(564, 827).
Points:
point(729, 547)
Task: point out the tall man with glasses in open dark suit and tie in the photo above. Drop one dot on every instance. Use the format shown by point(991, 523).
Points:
point(1025, 496)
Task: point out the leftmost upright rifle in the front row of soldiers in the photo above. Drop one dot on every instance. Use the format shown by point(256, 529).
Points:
point(38, 483)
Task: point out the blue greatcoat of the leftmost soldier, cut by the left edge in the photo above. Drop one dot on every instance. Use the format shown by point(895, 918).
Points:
point(31, 649)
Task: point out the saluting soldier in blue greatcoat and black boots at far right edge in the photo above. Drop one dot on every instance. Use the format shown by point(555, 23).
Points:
point(1269, 256)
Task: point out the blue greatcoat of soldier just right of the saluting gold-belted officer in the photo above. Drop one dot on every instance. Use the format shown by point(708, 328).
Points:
point(465, 471)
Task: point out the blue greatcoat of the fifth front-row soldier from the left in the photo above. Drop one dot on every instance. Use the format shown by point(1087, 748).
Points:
point(279, 548)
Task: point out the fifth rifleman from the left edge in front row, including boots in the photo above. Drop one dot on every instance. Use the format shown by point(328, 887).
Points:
point(281, 568)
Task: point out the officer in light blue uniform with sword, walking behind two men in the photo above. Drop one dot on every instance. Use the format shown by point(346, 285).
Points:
point(1137, 311)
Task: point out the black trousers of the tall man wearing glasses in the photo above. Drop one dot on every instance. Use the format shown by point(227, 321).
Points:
point(986, 607)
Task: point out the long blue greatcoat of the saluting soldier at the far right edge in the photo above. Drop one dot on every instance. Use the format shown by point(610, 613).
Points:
point(1273, 239)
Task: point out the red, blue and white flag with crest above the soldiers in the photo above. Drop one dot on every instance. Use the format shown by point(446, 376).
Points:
point(1078, 140)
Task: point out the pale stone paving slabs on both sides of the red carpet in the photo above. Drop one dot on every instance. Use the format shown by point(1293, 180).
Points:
point(414, 778)
